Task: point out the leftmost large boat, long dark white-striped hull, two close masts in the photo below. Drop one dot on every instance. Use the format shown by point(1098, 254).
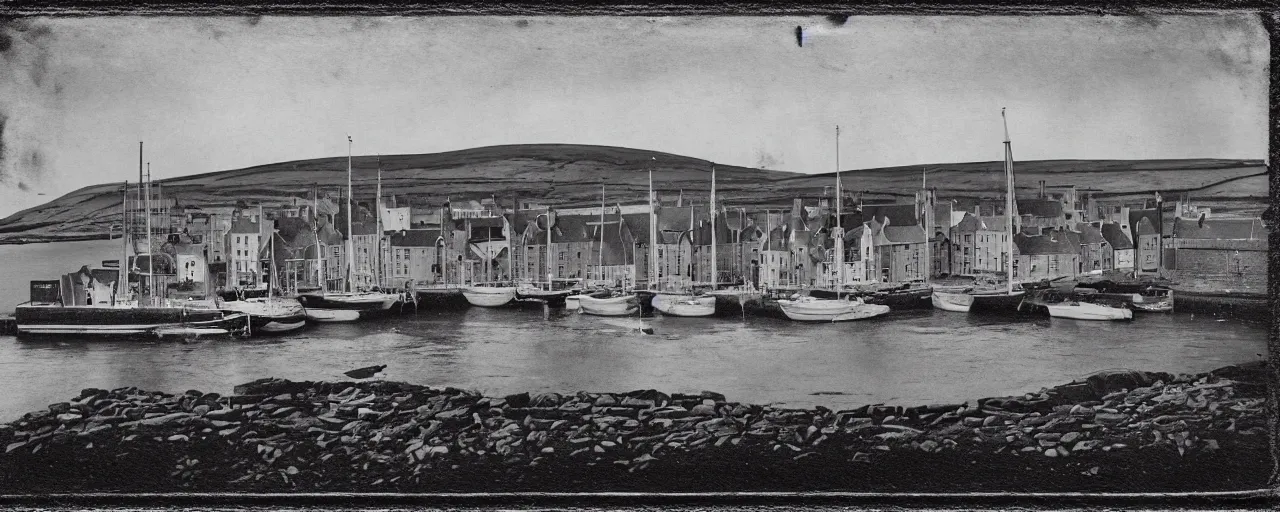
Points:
point(95, 303)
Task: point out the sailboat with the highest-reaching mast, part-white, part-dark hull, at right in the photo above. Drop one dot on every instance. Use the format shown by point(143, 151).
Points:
point(991, 298)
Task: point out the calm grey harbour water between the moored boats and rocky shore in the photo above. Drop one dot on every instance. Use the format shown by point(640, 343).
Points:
point(911, 358)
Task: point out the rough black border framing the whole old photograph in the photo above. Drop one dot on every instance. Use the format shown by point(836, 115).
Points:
point(836, 13)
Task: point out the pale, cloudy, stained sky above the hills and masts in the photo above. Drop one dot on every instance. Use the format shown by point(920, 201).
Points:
point(217, 94)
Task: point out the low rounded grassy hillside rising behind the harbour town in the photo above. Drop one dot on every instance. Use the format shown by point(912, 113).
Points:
point(568, 175)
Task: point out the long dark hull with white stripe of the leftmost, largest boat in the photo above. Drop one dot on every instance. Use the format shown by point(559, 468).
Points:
point(122, 322)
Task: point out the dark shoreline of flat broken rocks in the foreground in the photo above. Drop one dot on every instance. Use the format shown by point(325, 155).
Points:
point(1116, 432)
